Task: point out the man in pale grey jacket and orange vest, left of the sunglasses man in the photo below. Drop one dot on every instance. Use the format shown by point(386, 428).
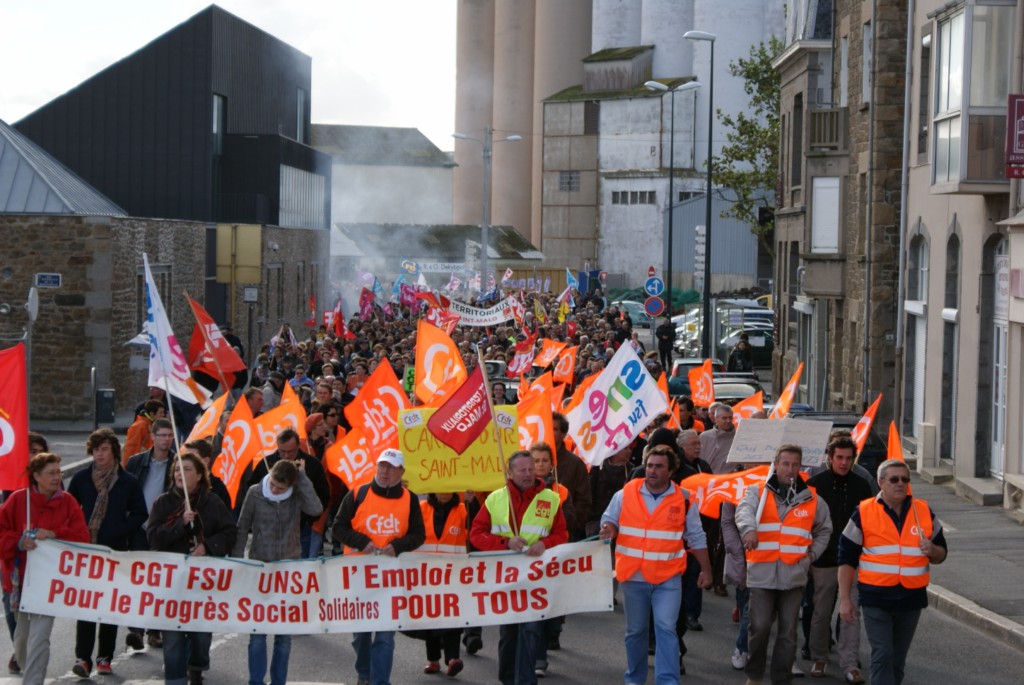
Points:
point(782, 537)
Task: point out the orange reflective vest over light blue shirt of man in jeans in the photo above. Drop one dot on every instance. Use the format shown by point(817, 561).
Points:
point(651, 543)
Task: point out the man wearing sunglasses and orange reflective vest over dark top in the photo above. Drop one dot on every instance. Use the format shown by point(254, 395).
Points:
point(888, 546)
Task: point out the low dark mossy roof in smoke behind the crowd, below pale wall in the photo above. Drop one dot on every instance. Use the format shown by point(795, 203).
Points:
point(443, 242)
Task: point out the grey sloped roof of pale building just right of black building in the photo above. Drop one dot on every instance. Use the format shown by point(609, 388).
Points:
point(378, 146)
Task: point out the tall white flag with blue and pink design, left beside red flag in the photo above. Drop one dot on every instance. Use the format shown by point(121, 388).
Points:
point(168, 368)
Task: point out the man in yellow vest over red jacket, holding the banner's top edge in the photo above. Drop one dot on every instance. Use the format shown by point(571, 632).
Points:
point(536, 525)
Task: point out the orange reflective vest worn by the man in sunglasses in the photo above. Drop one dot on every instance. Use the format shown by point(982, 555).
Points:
point(890, 558)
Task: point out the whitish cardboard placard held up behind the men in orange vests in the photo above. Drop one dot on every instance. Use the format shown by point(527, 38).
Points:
point(757, 440)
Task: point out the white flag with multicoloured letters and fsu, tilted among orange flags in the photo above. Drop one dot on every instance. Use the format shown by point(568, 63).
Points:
point(616, 408)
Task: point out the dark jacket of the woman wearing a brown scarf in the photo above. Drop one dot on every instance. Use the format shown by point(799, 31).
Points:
point(126, 512)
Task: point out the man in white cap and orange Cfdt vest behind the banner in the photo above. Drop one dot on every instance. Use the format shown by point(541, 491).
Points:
point(380, 518)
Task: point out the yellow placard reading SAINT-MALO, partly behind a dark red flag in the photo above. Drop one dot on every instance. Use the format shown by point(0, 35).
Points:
point(432, 466)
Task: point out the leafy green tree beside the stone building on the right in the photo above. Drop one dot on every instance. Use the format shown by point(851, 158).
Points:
point(747, 168)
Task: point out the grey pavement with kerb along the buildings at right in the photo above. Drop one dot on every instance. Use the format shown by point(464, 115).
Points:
point(982, 583)
